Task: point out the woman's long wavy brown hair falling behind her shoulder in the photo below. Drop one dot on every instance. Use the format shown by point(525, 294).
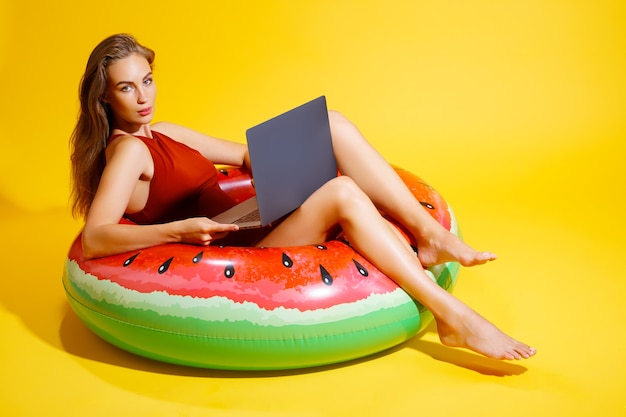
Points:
point(94, 125)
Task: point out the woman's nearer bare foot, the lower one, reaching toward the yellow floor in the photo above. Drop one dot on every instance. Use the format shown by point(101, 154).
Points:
point(467, 329)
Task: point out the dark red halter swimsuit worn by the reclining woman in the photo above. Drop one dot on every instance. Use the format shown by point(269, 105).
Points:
point(184, 184)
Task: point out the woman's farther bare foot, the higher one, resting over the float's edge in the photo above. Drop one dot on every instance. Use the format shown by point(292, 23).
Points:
point(442, 246)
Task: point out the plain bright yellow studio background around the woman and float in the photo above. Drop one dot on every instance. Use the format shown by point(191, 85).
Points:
point(514, 110)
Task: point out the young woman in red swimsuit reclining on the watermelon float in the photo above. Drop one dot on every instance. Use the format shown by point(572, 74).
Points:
point(122, 165)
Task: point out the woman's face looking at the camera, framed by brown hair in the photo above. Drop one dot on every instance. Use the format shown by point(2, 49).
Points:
point(131, 92)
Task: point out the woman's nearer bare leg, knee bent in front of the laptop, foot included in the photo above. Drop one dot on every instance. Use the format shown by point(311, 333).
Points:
point(342, 202)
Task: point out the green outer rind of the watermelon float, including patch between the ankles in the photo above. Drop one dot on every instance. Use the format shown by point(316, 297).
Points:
point(240, 345)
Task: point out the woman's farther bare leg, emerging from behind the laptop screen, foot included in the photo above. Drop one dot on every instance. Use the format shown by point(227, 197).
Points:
point(357, 159)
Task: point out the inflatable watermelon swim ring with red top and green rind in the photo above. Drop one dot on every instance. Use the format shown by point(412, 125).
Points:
point(250, 308)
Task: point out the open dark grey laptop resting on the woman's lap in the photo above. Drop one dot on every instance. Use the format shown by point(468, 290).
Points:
point(291, 156)
